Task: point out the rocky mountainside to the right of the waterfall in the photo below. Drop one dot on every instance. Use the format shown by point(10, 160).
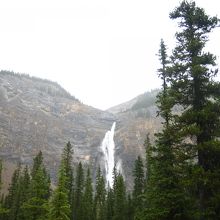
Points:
point(136, 119)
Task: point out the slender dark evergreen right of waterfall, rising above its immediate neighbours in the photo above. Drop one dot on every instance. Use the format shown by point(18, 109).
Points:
point(139, 181)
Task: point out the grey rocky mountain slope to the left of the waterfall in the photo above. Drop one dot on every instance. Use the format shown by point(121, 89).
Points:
point(38, 115)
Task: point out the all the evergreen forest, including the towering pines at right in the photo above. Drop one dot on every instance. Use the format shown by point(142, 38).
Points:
point(179, 176)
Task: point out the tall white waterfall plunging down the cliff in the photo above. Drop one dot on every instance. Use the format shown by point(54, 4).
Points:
point(108, 149)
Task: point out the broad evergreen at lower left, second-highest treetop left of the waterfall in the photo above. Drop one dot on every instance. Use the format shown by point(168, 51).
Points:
point(36, 207)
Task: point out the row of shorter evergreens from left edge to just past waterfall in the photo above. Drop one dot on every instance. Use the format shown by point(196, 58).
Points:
point(31, 197)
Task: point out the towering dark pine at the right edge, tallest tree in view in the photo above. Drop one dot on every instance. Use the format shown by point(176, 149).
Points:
point(193, 88)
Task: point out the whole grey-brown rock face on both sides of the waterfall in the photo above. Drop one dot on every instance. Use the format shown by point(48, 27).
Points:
point(37, 114)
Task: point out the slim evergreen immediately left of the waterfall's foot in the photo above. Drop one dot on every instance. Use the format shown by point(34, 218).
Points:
point(100, 197)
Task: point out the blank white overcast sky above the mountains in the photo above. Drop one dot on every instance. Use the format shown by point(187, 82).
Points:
point(102, 51)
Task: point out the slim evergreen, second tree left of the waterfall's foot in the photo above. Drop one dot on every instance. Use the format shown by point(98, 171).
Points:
point(87, 202)
